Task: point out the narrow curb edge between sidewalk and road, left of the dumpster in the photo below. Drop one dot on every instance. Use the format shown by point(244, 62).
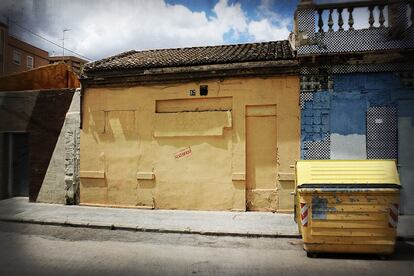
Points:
point(149, 230)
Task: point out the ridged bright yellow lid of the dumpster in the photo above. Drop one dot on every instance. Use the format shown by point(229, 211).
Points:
point(348, 172)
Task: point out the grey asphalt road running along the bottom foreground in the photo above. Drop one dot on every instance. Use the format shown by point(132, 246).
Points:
point(27, 249)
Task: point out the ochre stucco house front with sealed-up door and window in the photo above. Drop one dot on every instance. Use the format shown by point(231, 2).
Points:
point(156, 146)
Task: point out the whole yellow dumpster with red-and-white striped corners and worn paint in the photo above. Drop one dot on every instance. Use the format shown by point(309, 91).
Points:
point(347, 206)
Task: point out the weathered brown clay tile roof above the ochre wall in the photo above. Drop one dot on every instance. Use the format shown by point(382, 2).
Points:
point(178, 57)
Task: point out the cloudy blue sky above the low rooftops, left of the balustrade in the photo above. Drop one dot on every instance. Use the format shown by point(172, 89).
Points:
point(101, 28)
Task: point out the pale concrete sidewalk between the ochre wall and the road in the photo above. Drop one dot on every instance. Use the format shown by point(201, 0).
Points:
point(254, 224)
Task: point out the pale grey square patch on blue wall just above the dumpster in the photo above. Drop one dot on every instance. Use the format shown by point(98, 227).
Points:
point(345, 147)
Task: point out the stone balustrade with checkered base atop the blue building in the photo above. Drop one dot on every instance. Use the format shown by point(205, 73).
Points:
point(357, 25)
